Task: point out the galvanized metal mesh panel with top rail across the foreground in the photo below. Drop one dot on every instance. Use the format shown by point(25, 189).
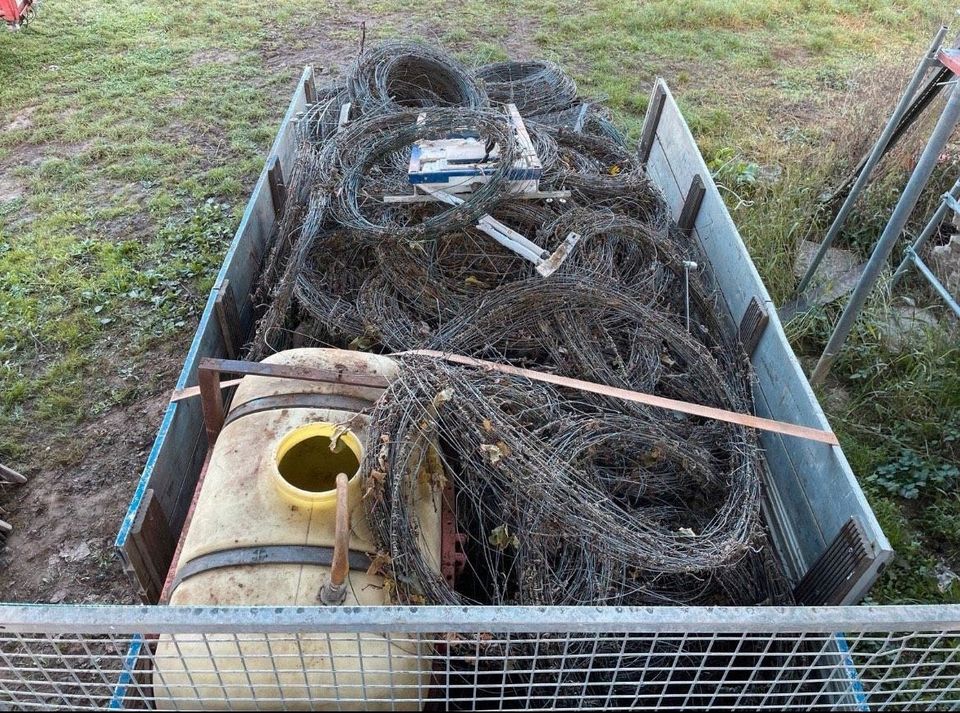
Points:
point(395, 658)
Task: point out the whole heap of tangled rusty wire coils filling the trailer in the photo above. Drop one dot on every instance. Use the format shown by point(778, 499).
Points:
point(563, 497)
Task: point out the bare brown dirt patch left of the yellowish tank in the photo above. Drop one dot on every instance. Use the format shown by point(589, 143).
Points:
point(65, 518)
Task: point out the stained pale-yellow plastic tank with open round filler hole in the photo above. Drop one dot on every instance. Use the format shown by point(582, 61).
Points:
point(268, 503)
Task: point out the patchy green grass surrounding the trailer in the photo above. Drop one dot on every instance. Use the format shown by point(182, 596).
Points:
point(143, 129)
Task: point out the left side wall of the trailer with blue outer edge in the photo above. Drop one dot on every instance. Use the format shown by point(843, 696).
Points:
point(181, 435)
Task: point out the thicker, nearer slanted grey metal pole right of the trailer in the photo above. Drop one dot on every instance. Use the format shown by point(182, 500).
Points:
point(908, 201)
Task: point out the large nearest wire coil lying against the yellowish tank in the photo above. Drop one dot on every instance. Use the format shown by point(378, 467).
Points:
point(539, 511)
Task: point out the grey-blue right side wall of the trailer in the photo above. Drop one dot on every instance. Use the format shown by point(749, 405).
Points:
point(813, 483)
